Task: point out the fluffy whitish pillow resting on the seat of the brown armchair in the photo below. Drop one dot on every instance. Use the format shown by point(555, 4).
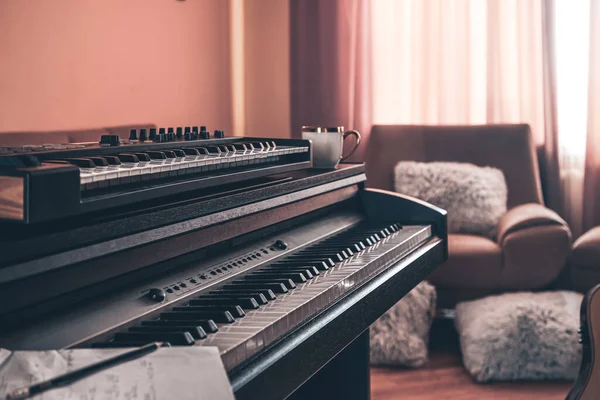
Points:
point(474, 197)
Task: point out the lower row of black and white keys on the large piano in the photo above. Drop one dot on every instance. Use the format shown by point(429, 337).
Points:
point(245, 315)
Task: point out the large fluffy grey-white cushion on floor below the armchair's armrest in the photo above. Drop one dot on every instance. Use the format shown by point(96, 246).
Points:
point(520, 336)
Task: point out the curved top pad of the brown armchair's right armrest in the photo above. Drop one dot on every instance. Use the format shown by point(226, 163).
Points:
point(526, 216)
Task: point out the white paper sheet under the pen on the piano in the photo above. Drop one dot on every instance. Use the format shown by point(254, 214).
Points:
point(167, 373)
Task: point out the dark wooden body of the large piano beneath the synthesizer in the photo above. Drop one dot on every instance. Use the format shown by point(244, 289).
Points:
point(54, 277)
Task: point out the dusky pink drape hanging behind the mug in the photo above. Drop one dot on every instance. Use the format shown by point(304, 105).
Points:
point(330, 64)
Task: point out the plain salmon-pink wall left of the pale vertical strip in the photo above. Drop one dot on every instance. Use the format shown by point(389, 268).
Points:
point(68, 64)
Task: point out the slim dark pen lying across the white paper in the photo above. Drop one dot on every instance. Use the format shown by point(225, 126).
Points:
point(73, 376)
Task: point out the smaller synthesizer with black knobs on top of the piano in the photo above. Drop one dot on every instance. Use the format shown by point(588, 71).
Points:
point(47, 182)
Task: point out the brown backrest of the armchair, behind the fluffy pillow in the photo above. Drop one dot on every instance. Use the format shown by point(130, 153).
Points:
point(508, 147)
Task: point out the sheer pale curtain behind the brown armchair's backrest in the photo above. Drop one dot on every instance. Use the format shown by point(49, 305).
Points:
point(458, 62)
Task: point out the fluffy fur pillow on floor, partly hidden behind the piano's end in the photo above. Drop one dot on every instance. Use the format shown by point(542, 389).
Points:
point(400, 336)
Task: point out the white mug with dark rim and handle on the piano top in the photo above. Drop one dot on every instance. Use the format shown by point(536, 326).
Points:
point(328, 144)
